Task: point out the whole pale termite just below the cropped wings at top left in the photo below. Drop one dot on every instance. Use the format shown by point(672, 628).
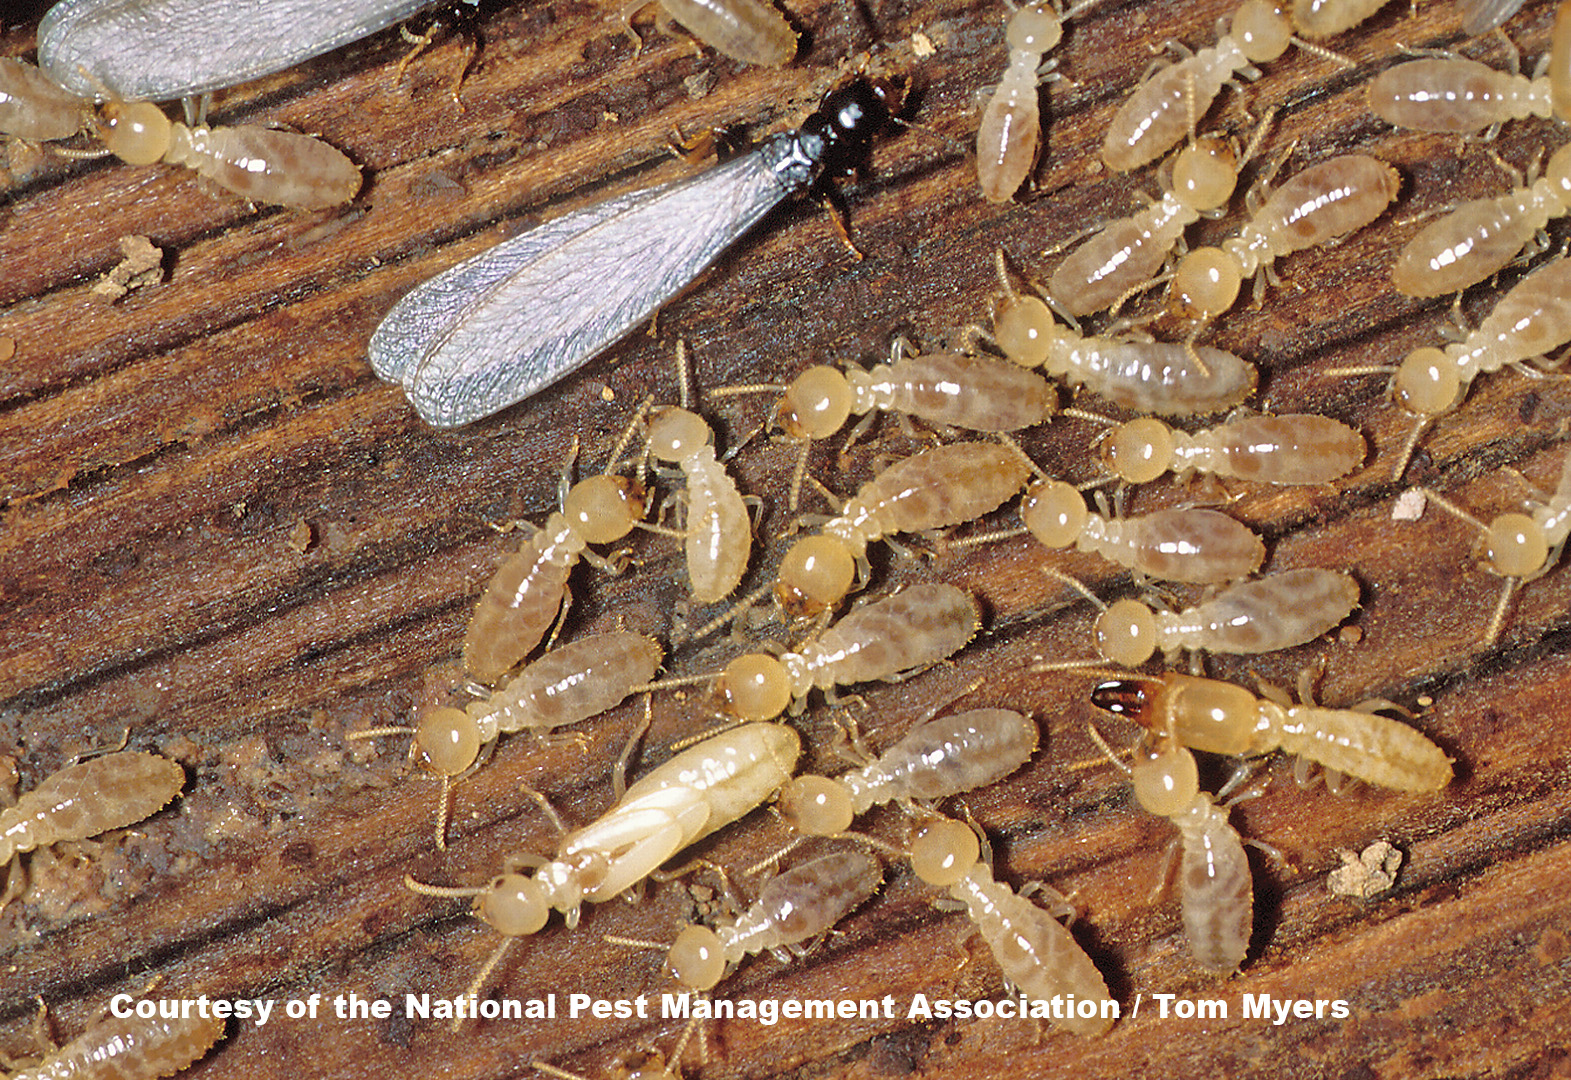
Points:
point(260, 164)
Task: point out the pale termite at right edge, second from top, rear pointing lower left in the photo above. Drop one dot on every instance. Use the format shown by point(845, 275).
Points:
point(1482, 237)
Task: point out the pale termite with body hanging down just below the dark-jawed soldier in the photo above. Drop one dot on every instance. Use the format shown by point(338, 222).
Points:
point(1218, 895)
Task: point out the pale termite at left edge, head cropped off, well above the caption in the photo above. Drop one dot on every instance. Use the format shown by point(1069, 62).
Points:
point(82, 801)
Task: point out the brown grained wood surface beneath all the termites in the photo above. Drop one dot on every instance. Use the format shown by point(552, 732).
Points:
point(225, 540)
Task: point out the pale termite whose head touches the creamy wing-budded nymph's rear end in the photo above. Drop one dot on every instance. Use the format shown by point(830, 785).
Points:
point(934, 760)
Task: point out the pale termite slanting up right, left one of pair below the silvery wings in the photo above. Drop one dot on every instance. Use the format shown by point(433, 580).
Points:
point(525, 593)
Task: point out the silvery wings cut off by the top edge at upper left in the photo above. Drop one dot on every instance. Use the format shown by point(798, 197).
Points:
point(166, 50)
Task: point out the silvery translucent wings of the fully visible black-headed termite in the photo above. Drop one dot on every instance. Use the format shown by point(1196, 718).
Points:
point(602, 273)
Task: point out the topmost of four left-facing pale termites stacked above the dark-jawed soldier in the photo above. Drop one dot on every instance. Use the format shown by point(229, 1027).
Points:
point(1173, 380)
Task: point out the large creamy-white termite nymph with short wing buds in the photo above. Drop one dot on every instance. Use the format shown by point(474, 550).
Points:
point(686, 799)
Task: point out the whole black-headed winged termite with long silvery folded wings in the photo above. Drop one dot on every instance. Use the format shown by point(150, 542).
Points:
point(511, 321)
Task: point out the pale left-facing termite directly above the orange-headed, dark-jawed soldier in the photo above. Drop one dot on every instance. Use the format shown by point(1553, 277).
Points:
point(1247, 619)
